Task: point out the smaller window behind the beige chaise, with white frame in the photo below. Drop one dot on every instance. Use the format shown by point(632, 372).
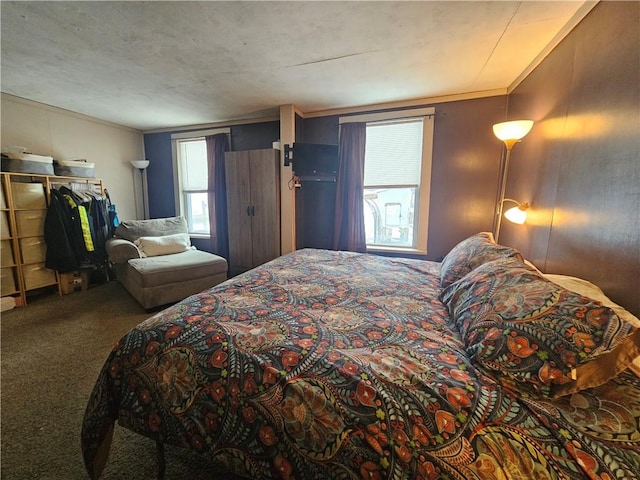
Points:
point(191, 173)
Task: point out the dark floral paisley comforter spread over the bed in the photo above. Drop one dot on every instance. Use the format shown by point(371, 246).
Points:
point(328, 365)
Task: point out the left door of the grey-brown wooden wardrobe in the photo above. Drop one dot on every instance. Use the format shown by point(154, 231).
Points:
point(238, 182)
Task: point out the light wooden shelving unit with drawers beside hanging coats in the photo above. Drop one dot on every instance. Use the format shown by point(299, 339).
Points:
point(23, 209)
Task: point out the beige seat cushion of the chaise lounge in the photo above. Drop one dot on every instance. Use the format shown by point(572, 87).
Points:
point(177, 267)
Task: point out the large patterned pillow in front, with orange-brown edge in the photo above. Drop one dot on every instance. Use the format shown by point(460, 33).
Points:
point(538, 337)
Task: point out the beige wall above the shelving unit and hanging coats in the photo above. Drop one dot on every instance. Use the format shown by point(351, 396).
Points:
point(46, 130)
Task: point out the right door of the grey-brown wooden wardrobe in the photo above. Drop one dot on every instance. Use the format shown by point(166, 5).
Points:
point(265, 205)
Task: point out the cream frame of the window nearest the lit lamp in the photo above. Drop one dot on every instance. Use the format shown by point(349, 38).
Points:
point(424, 189)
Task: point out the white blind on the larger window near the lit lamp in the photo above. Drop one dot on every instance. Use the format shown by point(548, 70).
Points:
point(393, 153)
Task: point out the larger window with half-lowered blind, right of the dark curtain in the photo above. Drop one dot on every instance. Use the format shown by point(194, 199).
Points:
point(397, 176)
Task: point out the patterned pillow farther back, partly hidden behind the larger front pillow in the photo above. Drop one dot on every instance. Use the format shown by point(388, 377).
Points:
point(471, 253)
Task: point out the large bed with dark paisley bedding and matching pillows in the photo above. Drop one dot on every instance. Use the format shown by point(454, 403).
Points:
point(325, 364)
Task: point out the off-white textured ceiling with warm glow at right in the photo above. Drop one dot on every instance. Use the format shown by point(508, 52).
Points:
point(153, 65)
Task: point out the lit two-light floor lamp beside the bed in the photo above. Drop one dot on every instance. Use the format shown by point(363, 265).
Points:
point(510, 133)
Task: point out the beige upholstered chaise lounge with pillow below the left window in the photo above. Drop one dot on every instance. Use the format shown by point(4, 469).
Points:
point(155, 262)
